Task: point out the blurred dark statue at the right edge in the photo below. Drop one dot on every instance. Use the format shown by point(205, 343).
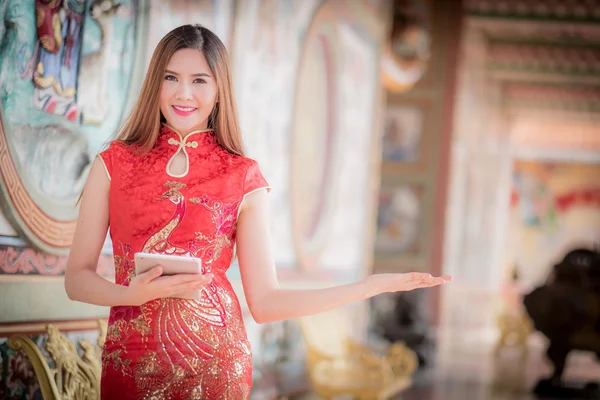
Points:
point(566, 309)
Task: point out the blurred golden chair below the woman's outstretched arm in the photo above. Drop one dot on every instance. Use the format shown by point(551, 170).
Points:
point(338, 365)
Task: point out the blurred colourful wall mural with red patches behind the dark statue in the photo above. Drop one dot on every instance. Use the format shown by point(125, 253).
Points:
point(555, 207)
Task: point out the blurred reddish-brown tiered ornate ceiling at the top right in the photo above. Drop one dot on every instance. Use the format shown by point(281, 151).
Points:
point(546, 56)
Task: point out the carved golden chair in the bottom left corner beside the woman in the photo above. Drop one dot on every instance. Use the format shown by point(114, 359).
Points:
point(72, 376)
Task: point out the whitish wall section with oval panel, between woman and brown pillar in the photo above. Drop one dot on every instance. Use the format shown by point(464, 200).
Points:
point(309, 123)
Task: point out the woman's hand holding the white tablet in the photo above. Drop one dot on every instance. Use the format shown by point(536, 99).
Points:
point(151, 285)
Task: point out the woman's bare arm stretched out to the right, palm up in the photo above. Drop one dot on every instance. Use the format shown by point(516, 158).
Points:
point(268, 302)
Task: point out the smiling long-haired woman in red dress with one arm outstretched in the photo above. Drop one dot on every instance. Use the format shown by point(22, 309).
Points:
point(176, 182)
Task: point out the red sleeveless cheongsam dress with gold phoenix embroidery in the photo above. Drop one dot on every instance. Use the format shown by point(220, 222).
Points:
point(177, 348)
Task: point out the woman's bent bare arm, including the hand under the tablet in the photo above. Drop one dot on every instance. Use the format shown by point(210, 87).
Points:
point(82, 283)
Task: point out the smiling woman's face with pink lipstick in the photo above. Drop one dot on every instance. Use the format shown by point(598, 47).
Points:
point(188, 91)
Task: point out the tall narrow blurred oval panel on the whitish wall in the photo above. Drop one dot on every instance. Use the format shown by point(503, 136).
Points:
point(315, 139)
